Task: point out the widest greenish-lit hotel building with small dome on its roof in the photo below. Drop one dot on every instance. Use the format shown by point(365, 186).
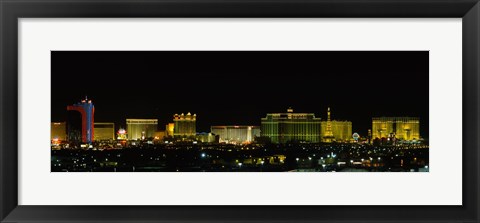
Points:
point(288, 127)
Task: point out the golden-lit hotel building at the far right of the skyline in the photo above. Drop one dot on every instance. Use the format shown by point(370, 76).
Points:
point(403, 128)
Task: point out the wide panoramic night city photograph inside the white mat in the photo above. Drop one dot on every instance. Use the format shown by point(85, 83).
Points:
point(239, 111)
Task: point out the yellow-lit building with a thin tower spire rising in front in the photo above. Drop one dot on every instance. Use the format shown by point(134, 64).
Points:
point(333, 130)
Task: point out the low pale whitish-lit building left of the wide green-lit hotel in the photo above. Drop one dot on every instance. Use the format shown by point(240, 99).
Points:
point(236, 134)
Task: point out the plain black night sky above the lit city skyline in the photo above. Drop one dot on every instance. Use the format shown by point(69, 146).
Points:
point(240, 87)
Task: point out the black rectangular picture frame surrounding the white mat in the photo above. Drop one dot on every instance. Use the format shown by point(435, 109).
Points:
point(12, 10)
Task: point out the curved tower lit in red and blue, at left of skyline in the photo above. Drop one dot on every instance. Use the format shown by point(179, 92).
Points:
point(80, 124)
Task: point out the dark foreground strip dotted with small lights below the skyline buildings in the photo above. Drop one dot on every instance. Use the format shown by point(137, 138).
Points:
point(247, 158)
